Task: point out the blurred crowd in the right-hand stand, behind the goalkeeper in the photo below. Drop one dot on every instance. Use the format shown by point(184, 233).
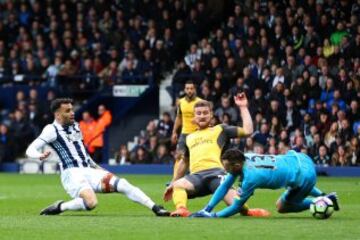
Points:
point(299, 64)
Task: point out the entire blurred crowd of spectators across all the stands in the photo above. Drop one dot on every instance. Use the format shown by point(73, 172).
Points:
point(297, 61)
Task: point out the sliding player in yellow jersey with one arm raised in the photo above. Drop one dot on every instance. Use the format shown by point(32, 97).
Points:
point(204, 148)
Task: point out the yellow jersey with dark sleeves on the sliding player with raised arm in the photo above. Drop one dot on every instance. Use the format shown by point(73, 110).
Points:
point(204, 147)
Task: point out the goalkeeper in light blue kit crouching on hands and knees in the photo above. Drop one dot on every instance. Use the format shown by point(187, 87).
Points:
point(295, 171)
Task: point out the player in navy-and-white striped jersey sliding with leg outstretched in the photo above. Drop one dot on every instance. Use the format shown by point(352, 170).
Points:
point(81, 177)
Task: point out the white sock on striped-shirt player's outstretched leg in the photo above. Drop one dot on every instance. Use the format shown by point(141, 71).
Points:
point(132, 192)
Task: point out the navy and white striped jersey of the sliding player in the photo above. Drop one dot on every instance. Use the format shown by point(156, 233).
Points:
point(68, 144)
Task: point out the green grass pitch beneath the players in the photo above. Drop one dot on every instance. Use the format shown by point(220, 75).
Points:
point(116, 217)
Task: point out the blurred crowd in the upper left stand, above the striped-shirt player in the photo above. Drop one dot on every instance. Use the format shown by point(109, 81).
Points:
point(82, 46)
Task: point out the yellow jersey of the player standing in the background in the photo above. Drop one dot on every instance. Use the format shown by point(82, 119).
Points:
point(186, 109)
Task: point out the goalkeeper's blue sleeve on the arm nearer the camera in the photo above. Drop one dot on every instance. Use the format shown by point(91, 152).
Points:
point(247, 190)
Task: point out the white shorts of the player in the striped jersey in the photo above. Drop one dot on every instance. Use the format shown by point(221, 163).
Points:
point(74, 180)
